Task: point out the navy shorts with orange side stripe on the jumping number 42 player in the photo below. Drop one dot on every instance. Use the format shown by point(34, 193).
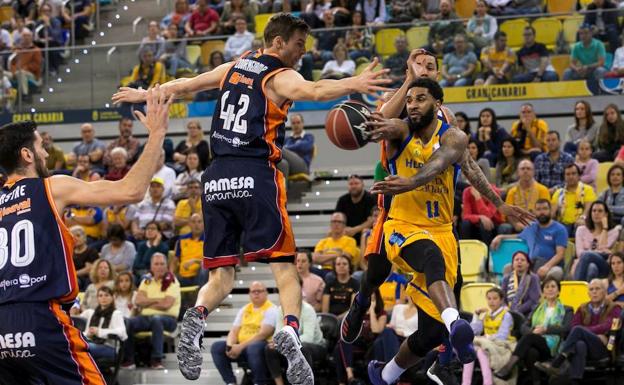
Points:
point(244, 205)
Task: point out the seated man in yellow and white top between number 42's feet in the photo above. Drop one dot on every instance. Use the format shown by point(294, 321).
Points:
point(253, 327)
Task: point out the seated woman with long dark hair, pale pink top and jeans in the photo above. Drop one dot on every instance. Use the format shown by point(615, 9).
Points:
point(594, 241)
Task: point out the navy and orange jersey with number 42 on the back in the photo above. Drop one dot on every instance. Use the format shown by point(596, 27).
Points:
point(246, 123)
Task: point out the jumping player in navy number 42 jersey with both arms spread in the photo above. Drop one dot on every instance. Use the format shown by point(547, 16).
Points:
point(243, 191)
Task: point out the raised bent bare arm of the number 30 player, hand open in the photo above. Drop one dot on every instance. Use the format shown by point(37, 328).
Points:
point(72, 191)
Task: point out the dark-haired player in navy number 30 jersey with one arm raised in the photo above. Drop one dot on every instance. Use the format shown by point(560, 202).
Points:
point(38, 342)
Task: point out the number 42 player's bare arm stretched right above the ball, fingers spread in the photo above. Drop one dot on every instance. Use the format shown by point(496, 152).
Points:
point(292, 86)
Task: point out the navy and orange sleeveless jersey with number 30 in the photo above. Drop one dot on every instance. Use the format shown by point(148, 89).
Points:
point(35, 245)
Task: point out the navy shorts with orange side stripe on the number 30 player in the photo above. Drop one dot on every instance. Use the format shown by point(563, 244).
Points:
point(39, 345)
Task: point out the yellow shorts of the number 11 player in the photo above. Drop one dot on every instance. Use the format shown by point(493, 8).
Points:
point(399, 234)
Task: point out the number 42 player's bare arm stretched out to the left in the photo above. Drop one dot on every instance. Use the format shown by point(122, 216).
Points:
point(206, 81)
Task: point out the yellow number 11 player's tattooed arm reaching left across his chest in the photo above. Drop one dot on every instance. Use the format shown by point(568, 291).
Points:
point(452, 147)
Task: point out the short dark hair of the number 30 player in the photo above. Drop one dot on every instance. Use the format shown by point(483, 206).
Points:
point(14, 137)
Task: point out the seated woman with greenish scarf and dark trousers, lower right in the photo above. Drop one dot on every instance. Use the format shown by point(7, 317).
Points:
point(541, 333)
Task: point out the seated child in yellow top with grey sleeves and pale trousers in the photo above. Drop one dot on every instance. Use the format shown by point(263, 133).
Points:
point(493, 341)
